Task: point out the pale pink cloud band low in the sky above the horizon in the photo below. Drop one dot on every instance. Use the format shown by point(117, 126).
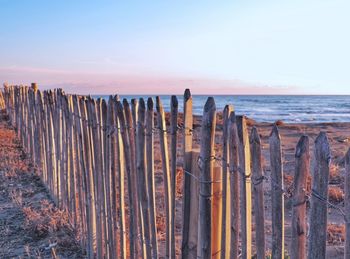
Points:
point(99, 83)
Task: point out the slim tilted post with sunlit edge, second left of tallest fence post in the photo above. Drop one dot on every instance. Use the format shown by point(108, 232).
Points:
point(166, 174)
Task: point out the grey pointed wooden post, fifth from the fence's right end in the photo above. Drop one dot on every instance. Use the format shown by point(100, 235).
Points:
point(258, 192)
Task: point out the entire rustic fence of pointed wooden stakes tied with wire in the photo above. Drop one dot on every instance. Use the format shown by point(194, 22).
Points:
point(86, 150)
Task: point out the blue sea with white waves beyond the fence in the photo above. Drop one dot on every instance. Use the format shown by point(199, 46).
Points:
point(269, 108)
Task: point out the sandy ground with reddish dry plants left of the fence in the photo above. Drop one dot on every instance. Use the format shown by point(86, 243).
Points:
point(30, 224)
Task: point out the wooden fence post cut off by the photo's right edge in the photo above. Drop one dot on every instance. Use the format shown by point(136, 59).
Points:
point(347, 205)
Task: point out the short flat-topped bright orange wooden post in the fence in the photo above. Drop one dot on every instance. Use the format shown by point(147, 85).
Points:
point(216, 213)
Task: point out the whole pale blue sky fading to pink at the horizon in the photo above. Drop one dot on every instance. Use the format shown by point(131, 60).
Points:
point(163, 47)
